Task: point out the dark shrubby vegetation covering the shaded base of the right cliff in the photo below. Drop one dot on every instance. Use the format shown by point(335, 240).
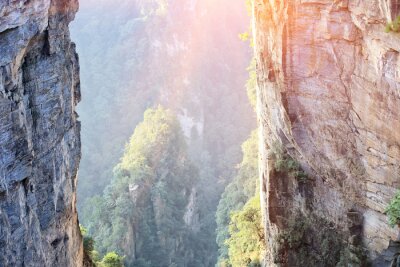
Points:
point(316, 242)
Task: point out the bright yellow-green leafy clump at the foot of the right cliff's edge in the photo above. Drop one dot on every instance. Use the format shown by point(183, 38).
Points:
point(246, 241)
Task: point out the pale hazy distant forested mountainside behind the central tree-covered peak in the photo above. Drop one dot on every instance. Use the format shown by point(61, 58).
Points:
point(183, 54)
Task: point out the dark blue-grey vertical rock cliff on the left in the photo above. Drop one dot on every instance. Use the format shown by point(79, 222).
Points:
point(39, 135)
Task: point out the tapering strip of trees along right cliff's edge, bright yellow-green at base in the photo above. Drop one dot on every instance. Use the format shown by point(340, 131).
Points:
point(239, 211)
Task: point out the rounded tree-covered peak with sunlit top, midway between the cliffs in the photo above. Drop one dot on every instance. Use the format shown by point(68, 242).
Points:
point(143, 207)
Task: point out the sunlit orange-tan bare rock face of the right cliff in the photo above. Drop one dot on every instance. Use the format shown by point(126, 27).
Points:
point(329, 92)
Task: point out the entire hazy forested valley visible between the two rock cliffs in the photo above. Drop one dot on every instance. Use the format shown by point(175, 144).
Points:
point(145, 199)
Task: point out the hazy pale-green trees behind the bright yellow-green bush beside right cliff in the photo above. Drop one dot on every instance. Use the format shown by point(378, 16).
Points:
point(243, 187)
